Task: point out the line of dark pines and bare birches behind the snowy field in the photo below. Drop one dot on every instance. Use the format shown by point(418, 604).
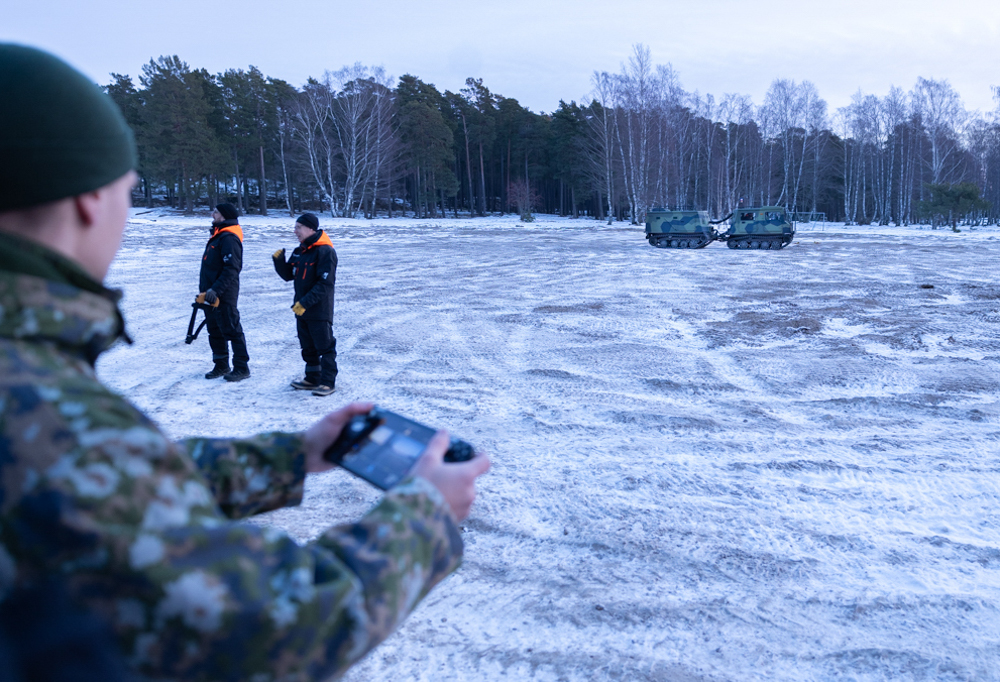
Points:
point(358, 142)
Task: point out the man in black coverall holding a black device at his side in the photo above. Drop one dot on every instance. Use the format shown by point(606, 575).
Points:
point(220, 281)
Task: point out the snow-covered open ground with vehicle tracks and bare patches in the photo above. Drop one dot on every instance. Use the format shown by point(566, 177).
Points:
point(707, 464)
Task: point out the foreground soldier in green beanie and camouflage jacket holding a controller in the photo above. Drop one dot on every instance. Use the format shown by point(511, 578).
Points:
point(145, 533)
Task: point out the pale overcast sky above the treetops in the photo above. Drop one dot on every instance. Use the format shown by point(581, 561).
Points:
point(540, 51)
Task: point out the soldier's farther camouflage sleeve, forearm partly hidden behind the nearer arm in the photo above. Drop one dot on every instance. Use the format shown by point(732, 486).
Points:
point(253, 475)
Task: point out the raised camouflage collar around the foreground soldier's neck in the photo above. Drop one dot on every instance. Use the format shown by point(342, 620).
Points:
point(45, 298)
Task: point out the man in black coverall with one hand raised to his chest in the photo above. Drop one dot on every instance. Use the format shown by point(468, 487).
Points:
point(313, 267)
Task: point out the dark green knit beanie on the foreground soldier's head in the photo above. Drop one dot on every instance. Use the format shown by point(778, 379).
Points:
point(60, 135)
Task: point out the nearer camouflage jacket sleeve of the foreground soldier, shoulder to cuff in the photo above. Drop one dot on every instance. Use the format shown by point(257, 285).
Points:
point(129, 520)
